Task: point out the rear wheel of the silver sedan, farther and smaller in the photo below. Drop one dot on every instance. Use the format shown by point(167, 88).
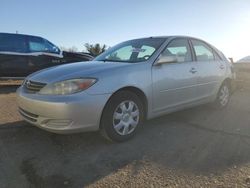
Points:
point(223, 96)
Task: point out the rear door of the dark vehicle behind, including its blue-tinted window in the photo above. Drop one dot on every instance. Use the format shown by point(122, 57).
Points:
point(13, 55)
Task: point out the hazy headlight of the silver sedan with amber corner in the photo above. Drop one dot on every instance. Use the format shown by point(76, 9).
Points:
point(68, 86)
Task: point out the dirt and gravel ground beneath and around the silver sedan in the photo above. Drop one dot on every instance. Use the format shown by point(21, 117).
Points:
point(199, 147)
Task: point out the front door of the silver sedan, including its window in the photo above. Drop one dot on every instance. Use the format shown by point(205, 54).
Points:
point(175, 84)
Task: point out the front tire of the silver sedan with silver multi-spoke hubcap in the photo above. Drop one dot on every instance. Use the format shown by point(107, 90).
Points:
point(122, 116)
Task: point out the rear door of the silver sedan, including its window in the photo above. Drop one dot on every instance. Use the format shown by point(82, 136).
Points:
point(210, 69)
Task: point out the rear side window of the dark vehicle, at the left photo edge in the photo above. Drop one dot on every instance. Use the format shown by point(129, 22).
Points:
point(13, 43)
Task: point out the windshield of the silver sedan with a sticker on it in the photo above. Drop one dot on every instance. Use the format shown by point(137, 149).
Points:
point(132, 51)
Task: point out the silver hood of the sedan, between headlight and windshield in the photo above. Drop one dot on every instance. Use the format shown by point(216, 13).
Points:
point(73, 70)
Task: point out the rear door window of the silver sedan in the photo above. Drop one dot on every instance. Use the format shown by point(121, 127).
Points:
point(202, 51)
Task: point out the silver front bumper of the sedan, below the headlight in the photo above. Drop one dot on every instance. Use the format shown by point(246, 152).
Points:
point(62, 114)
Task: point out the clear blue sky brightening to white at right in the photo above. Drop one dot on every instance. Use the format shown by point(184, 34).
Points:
point(223, 23)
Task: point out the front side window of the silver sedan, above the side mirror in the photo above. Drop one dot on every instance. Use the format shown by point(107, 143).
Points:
point(178, 48)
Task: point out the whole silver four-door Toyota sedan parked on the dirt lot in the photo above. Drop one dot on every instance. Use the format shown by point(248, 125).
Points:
point(132, 81)
